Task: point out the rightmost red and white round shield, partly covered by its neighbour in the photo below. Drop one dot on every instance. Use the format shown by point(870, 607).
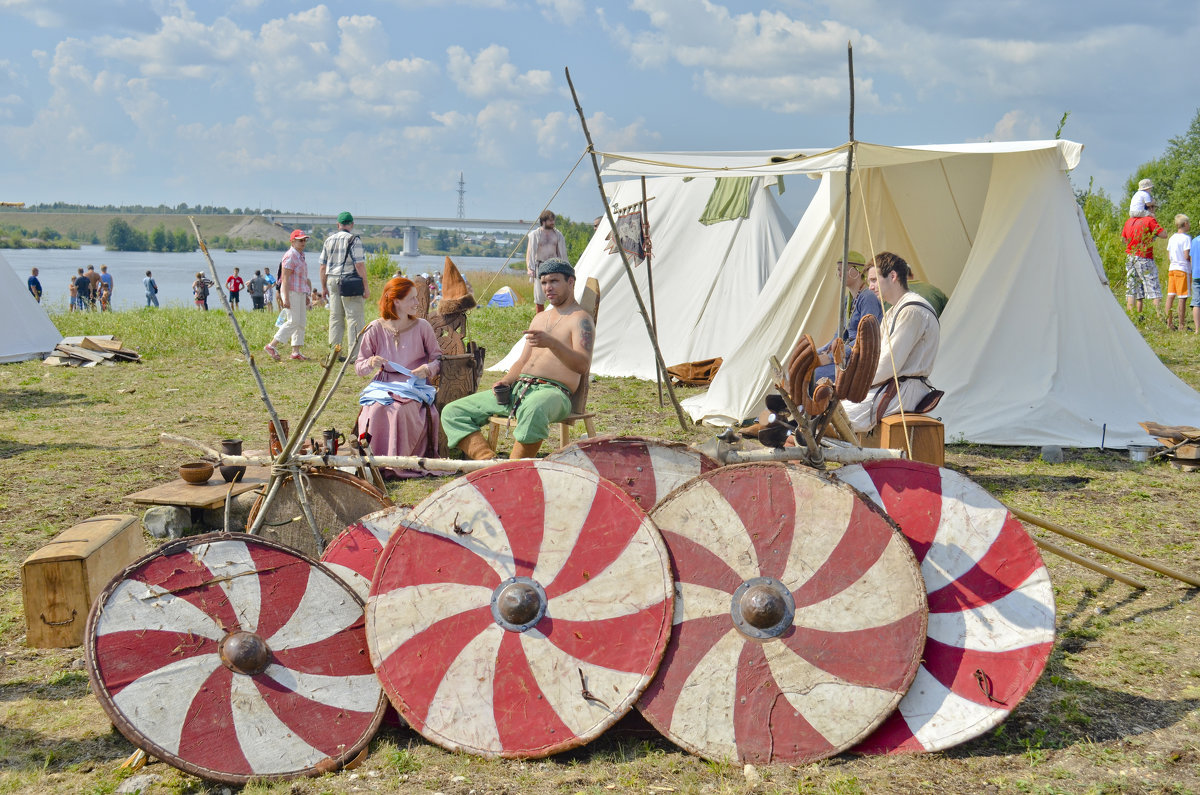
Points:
point(992, 615)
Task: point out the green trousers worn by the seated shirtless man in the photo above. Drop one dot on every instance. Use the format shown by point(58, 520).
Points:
point(539, 408)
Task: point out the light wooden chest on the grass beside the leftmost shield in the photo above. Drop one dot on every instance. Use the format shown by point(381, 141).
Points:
point(62, 581)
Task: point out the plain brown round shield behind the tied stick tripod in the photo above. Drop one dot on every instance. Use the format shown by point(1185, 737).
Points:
point(338, 499)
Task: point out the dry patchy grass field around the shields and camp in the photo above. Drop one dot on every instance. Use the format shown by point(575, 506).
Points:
point(1117, 712)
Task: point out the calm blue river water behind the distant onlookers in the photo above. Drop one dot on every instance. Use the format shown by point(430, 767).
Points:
point(176, 272)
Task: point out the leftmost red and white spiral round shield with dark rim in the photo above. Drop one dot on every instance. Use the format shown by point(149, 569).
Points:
point(235, 659)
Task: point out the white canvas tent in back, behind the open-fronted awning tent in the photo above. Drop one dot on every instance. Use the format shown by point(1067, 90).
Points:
point(706, 278)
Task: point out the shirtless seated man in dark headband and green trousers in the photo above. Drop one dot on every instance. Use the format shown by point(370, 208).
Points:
point(537, 392)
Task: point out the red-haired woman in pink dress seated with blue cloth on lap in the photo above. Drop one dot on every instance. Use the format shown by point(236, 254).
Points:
point(407, 426)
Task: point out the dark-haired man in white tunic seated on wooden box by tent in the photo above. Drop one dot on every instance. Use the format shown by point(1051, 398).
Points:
point(910, 334)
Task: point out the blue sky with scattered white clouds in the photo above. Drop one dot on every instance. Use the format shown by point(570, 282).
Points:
point(379, 106)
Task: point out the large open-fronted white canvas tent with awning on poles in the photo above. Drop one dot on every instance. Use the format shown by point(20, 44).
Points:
point(1035, 349)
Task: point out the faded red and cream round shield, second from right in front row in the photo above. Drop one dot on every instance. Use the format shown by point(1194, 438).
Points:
point(800, 617)
